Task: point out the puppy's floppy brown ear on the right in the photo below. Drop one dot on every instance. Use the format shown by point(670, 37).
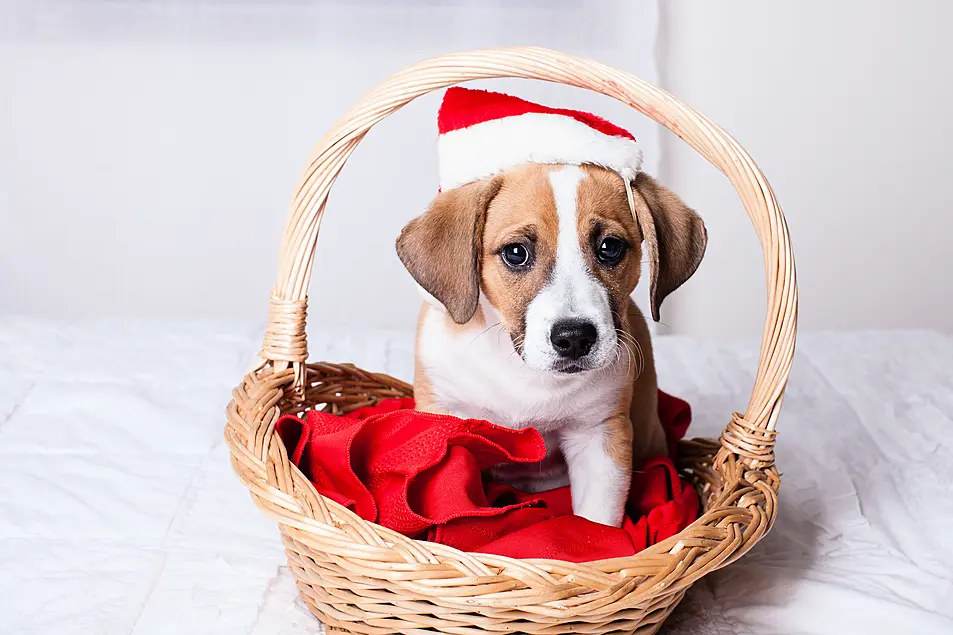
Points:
point(675, 237)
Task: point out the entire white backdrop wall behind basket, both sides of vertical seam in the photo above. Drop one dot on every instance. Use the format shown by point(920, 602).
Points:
point(148, 149)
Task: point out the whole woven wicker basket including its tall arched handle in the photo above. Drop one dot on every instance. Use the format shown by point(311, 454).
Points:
point(359, 577)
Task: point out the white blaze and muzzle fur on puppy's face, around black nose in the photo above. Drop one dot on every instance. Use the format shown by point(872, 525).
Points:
point(573, 293)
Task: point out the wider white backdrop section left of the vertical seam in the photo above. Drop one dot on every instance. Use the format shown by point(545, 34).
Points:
point(148, 151)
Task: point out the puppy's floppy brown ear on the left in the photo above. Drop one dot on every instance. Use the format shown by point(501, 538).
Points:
point(442, 248)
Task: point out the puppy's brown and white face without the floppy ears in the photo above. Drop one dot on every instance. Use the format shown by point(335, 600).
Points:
point(561, 254)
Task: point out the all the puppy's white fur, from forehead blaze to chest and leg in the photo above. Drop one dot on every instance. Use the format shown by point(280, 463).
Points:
point(476, 373)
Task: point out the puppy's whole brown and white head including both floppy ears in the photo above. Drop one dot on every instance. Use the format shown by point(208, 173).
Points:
point(556, 251)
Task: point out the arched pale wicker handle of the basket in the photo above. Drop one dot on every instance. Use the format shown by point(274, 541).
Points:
point(749, 436)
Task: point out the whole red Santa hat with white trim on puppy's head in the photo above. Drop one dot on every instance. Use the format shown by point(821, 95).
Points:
point(483, 133)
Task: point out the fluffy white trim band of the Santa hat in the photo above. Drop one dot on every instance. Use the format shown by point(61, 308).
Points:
point(490, 147)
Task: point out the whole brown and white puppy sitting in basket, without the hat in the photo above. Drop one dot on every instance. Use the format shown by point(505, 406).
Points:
point(528, 319)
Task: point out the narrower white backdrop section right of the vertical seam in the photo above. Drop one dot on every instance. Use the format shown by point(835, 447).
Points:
point(846, 107)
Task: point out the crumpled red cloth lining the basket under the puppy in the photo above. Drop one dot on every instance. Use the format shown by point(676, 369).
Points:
point(421, 474)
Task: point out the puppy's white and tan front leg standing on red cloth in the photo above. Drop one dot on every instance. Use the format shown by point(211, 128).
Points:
point(600, 469)
